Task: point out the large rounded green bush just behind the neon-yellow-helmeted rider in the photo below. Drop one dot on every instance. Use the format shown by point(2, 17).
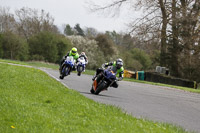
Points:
point(47, 46)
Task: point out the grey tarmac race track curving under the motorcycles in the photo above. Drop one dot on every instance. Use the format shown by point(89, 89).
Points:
point(162, 104)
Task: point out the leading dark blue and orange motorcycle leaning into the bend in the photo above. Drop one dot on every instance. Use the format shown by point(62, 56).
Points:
point(103, 81)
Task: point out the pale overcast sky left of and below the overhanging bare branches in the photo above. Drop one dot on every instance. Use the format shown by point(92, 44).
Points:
point(71, 12)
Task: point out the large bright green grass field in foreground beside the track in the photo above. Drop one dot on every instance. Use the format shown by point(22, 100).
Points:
point(31, 101)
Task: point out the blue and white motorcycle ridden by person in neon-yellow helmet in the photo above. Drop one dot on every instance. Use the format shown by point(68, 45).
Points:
point(67, 66)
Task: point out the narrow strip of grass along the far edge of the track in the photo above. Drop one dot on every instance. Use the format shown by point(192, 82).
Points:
point(92, 72)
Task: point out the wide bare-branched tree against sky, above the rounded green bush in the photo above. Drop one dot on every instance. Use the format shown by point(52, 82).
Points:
point(31, 22)
